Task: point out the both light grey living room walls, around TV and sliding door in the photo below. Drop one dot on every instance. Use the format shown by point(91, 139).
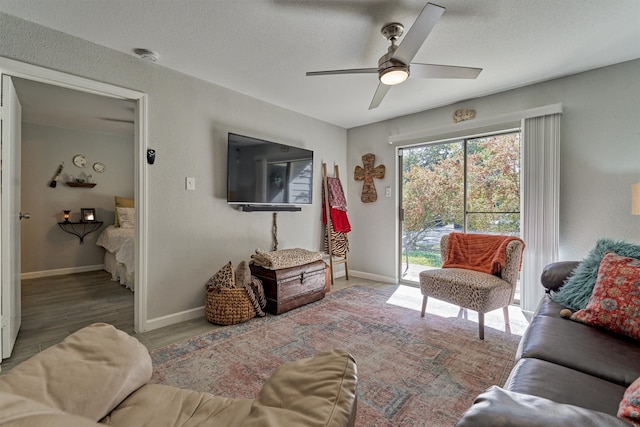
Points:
point(193, 233)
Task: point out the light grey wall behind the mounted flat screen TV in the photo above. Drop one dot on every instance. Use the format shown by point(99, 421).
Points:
point(191, 233)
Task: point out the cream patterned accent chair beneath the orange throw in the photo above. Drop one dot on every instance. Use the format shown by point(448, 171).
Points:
point(471, 289)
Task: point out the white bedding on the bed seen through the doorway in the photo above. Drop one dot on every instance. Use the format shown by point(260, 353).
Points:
point(120, 244)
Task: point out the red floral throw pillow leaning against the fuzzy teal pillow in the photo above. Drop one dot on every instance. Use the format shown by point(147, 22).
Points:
point(615, 302)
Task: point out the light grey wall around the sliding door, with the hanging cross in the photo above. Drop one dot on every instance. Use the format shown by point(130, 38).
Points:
point(600, 159)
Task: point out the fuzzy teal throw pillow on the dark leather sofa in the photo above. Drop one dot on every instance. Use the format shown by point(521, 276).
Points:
point(577, 290)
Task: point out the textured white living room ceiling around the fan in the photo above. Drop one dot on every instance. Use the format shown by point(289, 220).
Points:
point(263, 48)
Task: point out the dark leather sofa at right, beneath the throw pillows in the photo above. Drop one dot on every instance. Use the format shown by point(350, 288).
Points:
point(567, 373)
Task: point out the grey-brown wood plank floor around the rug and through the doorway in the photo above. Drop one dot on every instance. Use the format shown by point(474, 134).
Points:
point(54, 307)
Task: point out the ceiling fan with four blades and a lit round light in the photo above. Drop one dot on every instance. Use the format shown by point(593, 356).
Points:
point(394, 67)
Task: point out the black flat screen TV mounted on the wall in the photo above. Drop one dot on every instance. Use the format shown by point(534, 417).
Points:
point(267, 173)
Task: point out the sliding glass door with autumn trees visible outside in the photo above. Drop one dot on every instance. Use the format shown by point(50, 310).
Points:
point(469, 185)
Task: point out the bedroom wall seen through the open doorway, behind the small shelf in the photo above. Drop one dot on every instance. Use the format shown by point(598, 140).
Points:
point(45, 247)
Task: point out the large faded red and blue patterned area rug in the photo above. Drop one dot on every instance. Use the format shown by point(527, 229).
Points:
point(412, 371)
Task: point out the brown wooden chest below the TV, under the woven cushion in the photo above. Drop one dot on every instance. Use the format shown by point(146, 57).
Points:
point(288, 288)
